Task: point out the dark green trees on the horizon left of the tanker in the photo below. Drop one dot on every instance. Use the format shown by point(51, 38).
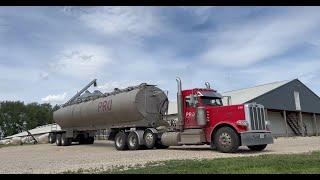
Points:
point(15, 113)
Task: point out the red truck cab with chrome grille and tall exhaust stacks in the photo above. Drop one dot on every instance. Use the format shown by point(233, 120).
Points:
point(205, 120)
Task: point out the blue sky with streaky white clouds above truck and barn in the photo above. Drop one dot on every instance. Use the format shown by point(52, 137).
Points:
point(48, 53)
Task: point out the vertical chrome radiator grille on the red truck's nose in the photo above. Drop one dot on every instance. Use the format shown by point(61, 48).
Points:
point(257, 118)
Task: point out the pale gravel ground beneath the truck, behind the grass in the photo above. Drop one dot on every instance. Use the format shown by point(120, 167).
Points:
point(48, 158)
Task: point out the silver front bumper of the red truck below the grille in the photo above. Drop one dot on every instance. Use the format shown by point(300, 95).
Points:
point(256, 138)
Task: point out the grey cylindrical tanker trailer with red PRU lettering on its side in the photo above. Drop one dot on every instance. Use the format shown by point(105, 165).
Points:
point(132, 113)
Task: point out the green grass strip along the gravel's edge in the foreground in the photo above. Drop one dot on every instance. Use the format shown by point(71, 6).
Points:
point(307, 163)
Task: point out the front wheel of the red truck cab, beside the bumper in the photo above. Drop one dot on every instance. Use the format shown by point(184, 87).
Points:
point(226, 140)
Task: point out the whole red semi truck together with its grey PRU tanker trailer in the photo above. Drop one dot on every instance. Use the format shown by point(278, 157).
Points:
point(135, 115)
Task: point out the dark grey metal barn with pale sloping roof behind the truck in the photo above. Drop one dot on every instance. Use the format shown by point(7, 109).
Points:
point(292, 108)
